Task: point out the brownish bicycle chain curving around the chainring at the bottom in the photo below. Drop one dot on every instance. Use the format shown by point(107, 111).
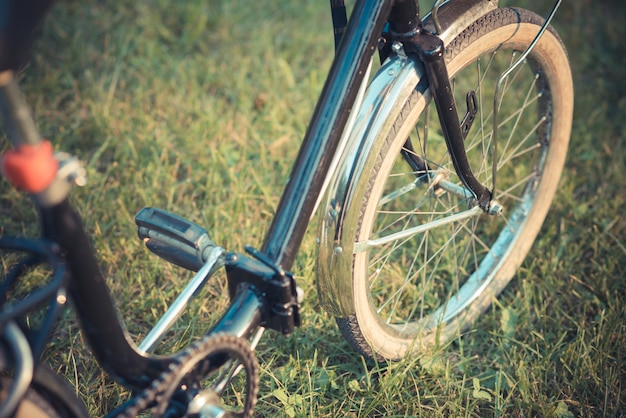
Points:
point(198, 351)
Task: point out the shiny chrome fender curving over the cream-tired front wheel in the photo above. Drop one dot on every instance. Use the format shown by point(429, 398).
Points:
point(399, 77)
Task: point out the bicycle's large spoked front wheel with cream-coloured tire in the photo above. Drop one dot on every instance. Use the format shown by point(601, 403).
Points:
point(412, 293)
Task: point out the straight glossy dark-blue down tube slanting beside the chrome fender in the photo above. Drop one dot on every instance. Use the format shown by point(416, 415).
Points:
point(325, 130)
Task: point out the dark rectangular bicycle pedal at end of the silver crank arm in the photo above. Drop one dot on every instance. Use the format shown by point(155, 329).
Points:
point(174, 238)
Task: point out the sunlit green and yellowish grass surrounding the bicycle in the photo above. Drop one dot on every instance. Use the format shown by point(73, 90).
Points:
point(198, 107)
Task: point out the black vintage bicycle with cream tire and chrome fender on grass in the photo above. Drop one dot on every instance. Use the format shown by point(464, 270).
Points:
point(397, 200)
